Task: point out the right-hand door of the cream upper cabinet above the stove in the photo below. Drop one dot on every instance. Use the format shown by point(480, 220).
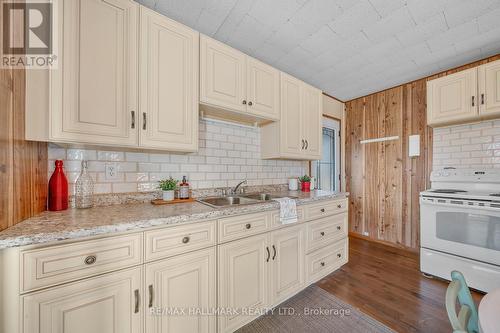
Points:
point(489, 89)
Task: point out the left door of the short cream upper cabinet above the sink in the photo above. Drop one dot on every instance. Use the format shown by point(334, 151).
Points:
point(222, 75)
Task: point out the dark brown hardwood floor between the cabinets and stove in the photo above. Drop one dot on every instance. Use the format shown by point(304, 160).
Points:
point(385, 283)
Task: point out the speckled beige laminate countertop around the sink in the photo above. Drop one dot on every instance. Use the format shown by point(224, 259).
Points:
point(78, 223)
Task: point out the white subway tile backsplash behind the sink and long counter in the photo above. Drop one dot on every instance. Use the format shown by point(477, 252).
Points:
point(227, 154)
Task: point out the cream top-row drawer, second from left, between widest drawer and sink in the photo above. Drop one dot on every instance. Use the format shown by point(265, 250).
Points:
point(175, 240)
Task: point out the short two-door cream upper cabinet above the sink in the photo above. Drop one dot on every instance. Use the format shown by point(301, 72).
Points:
point(236, 86)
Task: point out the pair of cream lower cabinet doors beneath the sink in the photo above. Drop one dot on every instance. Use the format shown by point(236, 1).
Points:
point(259, 272)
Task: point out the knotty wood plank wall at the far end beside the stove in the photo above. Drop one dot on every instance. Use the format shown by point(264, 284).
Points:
point(384, 183)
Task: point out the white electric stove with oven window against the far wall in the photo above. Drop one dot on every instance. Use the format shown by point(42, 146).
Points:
point(460, 226)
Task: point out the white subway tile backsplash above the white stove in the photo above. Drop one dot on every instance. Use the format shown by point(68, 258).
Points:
point(467, 146)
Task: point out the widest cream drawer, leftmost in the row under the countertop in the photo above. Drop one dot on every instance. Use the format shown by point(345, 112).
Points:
point(59, 264)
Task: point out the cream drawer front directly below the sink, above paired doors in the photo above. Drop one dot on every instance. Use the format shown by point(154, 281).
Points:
point(243, 226)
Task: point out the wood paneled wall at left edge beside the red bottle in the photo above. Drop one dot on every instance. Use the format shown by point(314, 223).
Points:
point(23, 164)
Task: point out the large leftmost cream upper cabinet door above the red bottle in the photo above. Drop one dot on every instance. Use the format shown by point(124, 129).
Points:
point(94, 92)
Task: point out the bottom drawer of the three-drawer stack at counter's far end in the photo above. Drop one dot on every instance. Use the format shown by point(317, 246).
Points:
point(324, 261)
